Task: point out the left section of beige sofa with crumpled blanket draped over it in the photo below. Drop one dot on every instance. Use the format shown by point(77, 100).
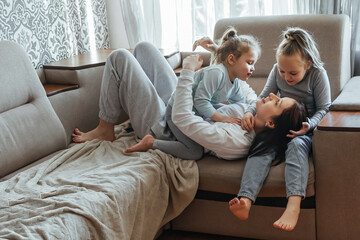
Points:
point(51, 188)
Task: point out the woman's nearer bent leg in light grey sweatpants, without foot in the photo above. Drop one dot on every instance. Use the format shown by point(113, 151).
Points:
point(126, 87)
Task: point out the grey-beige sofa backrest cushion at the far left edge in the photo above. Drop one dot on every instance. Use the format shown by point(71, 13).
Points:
point(29, 127)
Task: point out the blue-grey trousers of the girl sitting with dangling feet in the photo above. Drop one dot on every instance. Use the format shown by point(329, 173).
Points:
point(296, 169)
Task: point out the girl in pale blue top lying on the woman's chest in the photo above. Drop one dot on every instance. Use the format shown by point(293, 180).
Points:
point(224, 81)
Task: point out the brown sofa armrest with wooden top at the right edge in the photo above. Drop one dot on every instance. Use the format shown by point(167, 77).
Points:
point(336, 156)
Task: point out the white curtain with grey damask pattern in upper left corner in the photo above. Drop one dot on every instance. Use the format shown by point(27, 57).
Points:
point(51, 30)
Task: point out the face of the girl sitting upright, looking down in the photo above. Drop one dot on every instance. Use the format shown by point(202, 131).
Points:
point(292, 68)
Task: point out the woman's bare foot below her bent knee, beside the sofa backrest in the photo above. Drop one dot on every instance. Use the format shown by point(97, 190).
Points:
point(104, 131)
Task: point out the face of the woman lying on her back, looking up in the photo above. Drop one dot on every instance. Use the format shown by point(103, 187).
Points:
point(272, 106)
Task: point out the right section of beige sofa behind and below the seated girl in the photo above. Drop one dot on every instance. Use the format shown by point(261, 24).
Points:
point(330, 210)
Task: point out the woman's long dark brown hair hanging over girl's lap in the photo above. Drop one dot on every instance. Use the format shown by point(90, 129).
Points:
point(275, 140)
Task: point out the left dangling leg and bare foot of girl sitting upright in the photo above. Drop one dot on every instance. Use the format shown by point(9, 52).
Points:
point(255, 172)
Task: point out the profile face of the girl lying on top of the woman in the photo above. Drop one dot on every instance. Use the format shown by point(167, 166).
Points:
point(242, 67)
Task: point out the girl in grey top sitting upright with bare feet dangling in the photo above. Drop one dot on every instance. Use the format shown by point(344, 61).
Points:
point(299, 74)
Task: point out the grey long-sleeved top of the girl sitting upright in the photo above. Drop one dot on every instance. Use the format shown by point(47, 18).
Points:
point(313, 90)
